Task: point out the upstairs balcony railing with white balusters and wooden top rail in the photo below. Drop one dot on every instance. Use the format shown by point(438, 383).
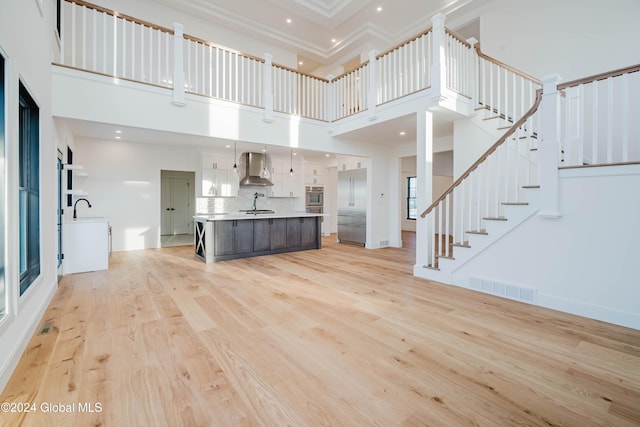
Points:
point(109, 43)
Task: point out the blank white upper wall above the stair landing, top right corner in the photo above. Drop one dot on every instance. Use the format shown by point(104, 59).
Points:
point(572, 38)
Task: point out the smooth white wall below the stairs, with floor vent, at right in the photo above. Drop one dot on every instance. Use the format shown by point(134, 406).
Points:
point(585, 262)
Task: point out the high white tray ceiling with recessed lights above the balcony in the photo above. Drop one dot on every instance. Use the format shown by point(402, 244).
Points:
point(325, 32)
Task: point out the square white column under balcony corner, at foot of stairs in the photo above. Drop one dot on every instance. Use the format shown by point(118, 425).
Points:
point(424, 182)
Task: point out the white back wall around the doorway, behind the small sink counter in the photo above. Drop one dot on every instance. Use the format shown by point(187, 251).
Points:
point(124, 185)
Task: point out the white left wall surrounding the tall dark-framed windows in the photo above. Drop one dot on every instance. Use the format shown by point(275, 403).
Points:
point(26, 41)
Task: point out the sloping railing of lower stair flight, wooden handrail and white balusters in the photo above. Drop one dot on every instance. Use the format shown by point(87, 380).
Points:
point(481, 191)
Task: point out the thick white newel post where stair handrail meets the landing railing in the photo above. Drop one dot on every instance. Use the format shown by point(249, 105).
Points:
point(548, 148)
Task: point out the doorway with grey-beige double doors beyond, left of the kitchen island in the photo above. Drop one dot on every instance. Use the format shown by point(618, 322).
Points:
point(177, 207)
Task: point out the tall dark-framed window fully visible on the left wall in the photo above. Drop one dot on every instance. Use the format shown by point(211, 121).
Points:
point(29, 191)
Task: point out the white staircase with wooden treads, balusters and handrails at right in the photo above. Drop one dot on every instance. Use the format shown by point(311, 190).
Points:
point(504, 188)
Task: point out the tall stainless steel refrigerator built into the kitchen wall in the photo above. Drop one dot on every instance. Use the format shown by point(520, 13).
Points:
point(352, 206)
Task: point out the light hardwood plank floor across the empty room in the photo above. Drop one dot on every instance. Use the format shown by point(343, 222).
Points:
point(342, 336)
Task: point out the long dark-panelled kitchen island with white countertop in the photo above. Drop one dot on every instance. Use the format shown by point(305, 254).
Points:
point(220, 237)
